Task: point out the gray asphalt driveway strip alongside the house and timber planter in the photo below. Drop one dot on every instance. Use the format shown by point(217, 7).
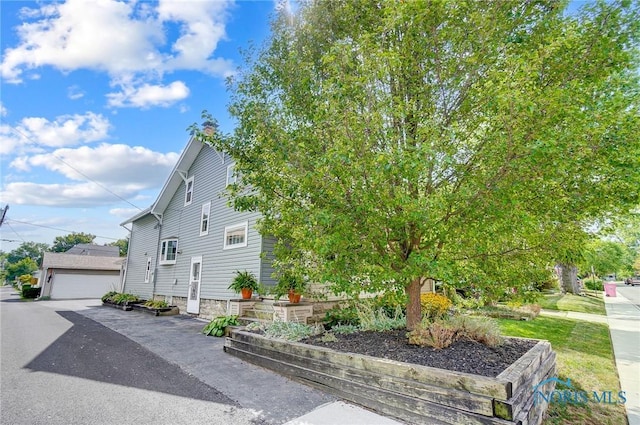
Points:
point(273, 399)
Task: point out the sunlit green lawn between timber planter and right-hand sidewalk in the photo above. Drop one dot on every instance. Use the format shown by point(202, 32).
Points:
point(584, 354)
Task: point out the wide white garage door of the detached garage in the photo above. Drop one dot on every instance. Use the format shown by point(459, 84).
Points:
point(69, 286)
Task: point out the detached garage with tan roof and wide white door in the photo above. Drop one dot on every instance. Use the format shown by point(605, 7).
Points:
point(68, 276)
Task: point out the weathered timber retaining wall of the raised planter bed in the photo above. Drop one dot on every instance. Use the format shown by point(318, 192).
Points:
point(414, 393)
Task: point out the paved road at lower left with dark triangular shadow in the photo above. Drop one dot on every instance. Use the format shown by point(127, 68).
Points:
point(60, 367)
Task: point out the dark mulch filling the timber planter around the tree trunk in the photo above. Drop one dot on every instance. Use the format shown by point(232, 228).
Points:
point(462, 356)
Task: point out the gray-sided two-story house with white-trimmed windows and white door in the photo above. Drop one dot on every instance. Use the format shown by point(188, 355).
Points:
point(186, 247)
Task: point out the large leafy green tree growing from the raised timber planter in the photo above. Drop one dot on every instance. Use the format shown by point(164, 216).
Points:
point(390, 142)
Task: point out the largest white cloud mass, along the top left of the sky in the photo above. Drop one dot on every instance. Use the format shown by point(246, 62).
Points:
point(119, 38)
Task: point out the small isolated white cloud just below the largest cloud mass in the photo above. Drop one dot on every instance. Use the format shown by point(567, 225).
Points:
point(148, 95)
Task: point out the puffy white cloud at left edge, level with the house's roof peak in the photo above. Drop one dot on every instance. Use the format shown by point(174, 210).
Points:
point(67, 130)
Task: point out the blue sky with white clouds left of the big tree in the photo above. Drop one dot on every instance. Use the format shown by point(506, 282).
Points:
point(98, 95)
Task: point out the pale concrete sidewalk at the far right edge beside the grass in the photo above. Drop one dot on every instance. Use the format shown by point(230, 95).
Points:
point(624, 327)
